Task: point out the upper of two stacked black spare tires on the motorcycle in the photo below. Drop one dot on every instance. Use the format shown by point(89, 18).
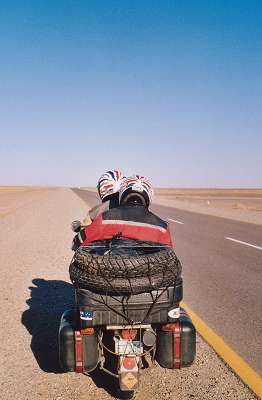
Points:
point(125, 266)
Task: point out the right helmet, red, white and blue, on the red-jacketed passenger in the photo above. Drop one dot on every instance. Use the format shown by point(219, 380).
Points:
point(138, 185)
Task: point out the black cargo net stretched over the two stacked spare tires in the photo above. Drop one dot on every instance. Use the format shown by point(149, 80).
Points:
point(124, 268)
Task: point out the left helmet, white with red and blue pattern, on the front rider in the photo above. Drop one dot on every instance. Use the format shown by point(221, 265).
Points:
point(109, 183)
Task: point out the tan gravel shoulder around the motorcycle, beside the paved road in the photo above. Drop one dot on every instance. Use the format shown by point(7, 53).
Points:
point(35, 254)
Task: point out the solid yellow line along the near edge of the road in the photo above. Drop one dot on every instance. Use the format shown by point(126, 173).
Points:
point(238, 365)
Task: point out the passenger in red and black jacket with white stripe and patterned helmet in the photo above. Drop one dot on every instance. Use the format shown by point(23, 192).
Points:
point(132, 219)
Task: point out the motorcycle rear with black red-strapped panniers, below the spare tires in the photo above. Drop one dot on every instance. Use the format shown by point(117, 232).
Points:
point(122, 333)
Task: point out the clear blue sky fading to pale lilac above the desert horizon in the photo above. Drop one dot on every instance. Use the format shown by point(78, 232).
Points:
point(169, 89)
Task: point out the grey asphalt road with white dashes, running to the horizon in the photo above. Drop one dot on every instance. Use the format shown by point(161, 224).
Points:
point(222, 277)
